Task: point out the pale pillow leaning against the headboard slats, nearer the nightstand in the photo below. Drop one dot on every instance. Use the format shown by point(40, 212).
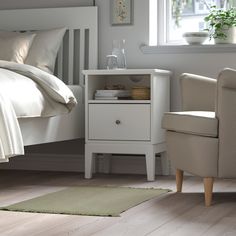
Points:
point(44, 49)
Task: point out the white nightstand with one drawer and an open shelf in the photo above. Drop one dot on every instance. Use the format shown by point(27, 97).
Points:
point(126, 126)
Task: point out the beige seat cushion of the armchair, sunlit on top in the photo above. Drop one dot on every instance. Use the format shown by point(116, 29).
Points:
point(201, 123)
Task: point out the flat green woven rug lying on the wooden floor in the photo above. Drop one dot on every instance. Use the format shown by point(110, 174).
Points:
point(93, 201)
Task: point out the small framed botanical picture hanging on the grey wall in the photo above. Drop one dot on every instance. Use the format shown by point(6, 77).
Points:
point(121, 12)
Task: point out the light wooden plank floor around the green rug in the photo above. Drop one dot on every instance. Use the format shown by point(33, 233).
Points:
point(171, 214)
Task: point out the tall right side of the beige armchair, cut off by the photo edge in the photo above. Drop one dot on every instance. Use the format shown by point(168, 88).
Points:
point(226, 113)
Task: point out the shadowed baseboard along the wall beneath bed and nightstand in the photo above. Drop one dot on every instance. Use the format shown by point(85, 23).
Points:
point(119, 164)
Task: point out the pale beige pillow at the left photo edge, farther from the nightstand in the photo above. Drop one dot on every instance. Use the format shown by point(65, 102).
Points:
point(14, 46)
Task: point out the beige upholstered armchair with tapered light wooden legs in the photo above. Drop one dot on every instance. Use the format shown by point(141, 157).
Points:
point(201, 139)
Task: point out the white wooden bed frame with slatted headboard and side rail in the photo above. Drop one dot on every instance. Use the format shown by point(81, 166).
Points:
point(77, 52)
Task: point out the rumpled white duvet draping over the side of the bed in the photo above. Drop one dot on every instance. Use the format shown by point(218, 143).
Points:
point(26, 91)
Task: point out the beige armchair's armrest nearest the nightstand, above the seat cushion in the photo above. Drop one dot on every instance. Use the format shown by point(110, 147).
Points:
point(197, 92)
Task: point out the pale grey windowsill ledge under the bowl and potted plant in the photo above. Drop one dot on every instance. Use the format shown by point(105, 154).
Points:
point(183, 49)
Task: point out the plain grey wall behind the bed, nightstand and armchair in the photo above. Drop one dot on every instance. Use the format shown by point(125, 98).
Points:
point(135, 35)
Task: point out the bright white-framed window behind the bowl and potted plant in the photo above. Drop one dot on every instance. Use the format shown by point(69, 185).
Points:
point(169, 19)
